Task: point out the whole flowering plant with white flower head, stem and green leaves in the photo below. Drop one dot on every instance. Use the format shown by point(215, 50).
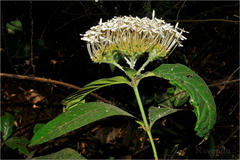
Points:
point(129, 38)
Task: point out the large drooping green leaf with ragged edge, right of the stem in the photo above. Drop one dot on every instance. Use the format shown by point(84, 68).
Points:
point(200, 95)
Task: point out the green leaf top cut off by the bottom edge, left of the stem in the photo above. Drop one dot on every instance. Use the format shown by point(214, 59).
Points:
point(66, 153)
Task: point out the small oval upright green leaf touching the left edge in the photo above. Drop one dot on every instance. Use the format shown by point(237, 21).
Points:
point(6, 125)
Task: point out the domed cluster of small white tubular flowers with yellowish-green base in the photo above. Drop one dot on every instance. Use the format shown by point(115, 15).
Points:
point(130, 37)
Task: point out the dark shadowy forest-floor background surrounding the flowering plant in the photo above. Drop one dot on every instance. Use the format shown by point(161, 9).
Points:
point(211, 50)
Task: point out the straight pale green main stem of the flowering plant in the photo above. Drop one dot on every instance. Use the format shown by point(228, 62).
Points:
point(146, 125)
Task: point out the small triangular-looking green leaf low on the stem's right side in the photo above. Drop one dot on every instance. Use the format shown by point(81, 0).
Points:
point(155, 113)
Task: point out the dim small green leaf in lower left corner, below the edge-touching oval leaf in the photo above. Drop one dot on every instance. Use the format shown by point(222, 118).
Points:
point(18, 143)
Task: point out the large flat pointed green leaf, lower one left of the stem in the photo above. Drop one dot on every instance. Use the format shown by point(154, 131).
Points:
point(74, 118)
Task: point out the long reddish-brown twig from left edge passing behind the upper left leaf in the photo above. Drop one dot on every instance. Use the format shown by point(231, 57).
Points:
point(39, 79)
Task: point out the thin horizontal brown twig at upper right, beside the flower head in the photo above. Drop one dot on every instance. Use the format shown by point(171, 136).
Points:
point(203, 20)
